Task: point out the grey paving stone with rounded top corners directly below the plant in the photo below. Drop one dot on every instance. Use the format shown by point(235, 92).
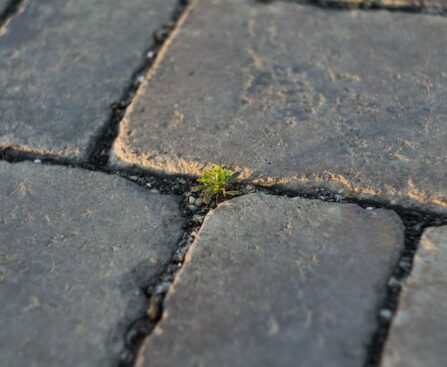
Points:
point(275, 281)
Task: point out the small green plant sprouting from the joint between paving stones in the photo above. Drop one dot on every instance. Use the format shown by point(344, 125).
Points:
point(215, 182)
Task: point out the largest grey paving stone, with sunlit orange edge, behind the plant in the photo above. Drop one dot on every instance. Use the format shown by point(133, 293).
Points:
point(300, 96)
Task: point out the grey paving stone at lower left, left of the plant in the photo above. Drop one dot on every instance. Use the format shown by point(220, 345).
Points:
point(76, 248)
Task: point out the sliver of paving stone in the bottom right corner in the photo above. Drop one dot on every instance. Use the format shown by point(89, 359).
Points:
point(419, 331)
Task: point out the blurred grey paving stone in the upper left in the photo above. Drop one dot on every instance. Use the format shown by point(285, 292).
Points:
point(62, 65)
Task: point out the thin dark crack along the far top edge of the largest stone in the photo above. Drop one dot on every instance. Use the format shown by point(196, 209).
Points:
point(371, 5)
